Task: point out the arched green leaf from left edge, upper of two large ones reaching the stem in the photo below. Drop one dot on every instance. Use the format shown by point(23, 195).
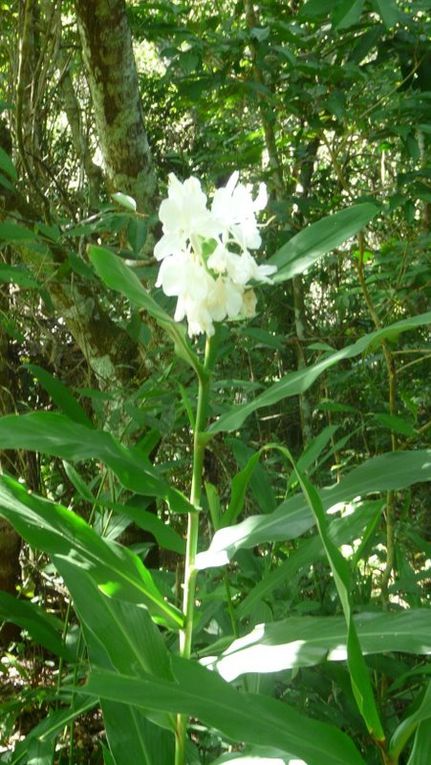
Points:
point(59, 436)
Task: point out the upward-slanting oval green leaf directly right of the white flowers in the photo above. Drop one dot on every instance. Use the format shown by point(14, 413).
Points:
point(300, 252)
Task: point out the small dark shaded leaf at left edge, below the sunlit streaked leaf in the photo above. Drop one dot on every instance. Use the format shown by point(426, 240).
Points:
point(43, 628)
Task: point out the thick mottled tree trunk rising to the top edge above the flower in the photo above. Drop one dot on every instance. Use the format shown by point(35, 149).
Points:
point(113, 81)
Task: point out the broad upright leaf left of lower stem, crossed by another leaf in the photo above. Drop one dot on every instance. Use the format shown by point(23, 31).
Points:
point(122, 636)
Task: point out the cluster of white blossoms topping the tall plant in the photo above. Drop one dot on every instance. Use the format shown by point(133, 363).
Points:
point(205, 253)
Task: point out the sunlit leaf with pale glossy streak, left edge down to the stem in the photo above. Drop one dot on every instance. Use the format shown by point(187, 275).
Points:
point(64, 535)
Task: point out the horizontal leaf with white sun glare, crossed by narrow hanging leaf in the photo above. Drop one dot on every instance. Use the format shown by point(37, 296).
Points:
point(303, 641)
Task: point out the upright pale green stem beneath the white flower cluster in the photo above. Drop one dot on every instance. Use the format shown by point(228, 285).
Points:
point(189, 586)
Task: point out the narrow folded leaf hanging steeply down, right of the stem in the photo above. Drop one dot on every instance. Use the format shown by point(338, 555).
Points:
point(359, 676)
